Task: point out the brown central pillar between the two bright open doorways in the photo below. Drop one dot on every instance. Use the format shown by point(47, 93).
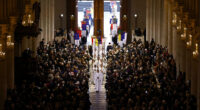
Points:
point(99, 17)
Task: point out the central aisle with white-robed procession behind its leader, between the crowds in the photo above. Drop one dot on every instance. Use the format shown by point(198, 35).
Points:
point(98, 99)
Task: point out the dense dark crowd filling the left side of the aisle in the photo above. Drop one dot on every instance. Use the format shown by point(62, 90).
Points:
point(60, 83)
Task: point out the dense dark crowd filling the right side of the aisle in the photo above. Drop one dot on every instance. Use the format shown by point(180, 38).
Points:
point(143, 77)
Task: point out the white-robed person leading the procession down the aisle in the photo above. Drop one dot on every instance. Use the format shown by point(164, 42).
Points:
point(98, 80)
